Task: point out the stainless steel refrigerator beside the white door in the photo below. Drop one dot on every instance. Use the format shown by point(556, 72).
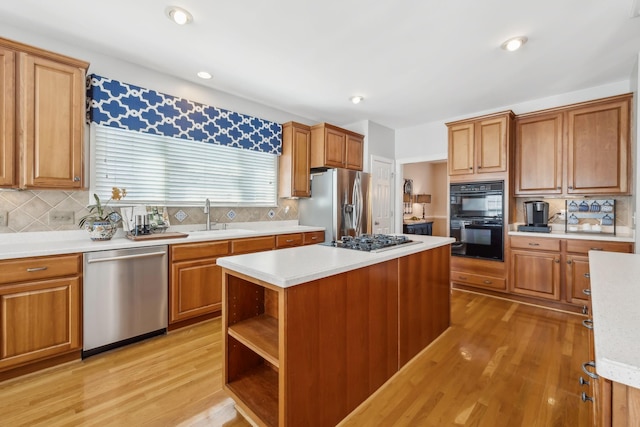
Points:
point(339, 202)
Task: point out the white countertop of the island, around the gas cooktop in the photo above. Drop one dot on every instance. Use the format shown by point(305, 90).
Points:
point(293, 266)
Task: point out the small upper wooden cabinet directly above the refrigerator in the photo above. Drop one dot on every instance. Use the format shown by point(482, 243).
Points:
point(334, 147)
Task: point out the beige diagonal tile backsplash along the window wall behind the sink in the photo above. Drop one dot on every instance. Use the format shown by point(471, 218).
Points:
point(53, 210)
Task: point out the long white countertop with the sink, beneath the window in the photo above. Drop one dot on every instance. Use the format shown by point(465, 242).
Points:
point(21, 245)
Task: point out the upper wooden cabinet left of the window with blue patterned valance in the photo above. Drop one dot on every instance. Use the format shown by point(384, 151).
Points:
point(43, 101)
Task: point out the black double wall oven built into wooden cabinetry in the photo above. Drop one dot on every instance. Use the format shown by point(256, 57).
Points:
point(476, 219)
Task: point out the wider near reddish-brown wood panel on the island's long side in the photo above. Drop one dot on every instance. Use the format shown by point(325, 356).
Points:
point(341, 343)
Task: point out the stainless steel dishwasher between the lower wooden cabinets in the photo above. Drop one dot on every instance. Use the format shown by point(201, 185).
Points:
point(125, 296)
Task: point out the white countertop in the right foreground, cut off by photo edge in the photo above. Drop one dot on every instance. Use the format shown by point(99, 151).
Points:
point(615, 297)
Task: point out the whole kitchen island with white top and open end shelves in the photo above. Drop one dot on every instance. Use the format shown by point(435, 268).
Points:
point(311, 332)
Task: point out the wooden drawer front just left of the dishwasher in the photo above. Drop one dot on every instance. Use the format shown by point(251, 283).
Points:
point(30, 269)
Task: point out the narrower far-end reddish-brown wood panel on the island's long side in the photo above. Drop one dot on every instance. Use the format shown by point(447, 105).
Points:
point(423, 300)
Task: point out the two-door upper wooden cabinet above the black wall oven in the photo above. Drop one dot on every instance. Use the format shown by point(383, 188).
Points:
point(480, 146)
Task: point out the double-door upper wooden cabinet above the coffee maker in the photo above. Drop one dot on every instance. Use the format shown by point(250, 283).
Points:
point(583, 149)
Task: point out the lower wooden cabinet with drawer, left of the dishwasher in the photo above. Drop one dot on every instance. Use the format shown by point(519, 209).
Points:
point(40, 309)
